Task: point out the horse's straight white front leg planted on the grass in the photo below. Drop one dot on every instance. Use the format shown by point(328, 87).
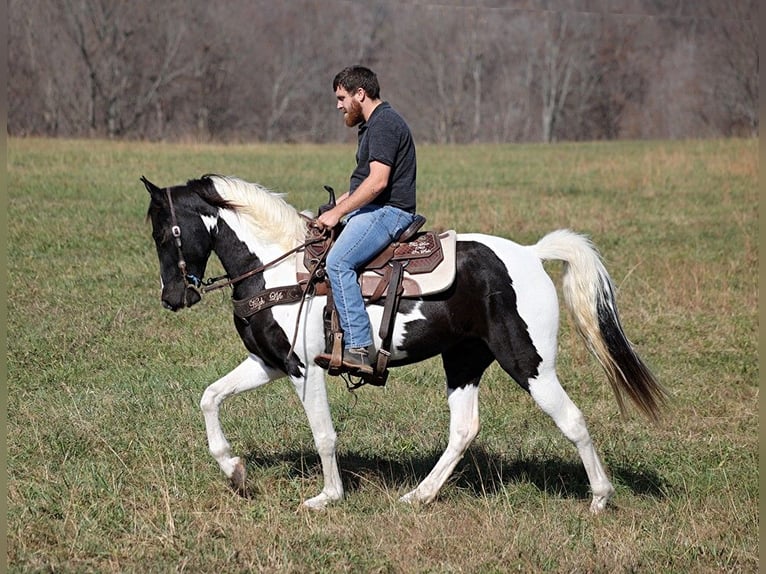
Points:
point(313, 394)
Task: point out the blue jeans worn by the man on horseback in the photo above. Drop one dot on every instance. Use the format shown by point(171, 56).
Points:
point(368, 231)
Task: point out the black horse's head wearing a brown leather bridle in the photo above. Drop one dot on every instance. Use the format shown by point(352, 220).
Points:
point(183, 241)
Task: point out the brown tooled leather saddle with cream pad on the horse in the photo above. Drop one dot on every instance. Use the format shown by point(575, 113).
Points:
point(418, 263)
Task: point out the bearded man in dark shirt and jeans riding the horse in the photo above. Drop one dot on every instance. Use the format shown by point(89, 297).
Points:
point(378, 207)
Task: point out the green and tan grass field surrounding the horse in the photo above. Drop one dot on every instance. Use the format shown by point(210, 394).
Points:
point(108, 469)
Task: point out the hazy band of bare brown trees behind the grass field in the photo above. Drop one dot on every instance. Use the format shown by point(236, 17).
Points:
point(458, 71)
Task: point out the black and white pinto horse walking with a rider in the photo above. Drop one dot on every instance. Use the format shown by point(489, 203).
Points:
point(502, 306)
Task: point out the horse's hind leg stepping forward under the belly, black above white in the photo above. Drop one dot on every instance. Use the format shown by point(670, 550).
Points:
point(463, 374)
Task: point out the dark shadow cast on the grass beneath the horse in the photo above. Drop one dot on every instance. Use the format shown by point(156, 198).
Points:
point(481, 472)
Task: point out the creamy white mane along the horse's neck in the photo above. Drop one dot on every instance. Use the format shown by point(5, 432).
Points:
point(262, 212)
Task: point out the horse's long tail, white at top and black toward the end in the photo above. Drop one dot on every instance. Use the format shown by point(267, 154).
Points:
point(589, 295)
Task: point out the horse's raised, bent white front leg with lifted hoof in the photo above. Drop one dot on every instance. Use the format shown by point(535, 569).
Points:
point(250, 374)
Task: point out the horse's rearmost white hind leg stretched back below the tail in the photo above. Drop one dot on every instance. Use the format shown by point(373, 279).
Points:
point(551, 397)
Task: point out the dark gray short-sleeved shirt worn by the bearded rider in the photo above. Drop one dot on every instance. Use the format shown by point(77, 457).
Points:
point(385, 137)
